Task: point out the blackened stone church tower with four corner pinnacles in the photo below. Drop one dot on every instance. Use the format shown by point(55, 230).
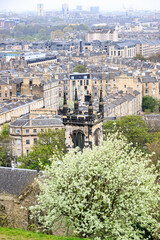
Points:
point(83, 129)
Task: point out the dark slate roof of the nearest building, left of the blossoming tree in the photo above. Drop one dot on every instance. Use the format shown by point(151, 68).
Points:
point(15, 181)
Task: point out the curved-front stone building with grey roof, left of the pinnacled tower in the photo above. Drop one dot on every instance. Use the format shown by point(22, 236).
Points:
point(24, 130)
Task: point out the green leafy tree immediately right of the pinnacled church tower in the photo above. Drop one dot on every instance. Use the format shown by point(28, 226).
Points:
point(132, 127)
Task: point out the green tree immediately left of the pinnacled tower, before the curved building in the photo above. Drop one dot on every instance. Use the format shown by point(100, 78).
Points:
point(51, 142)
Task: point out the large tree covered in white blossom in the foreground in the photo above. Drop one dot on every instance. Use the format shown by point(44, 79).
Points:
point(103, 193)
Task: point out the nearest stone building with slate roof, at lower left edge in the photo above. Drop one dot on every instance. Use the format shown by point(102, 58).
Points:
point(18, 192)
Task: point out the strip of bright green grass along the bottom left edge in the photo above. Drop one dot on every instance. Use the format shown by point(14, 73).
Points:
point(19, 234)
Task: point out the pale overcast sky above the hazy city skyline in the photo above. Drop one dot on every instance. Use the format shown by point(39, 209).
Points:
point(110, 5)
